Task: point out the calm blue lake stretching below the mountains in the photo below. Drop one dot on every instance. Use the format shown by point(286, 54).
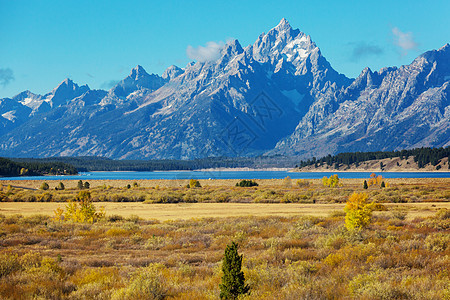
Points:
point(230, 175)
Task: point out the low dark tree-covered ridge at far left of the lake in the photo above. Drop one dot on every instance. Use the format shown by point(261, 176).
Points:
point(34, 168)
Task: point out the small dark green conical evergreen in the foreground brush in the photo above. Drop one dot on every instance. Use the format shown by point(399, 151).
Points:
point(233, 281)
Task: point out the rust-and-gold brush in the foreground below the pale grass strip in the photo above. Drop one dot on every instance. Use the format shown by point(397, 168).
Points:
point(297, 257)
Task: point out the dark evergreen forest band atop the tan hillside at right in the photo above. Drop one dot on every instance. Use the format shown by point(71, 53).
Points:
point(422, 156)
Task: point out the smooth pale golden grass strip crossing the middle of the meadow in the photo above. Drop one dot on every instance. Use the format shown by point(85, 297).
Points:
point(186, 211)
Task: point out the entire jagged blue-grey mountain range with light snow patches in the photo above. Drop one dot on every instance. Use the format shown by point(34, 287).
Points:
point(278, 96)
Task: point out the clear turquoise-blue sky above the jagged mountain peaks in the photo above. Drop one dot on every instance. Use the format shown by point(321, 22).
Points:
point(99, 42)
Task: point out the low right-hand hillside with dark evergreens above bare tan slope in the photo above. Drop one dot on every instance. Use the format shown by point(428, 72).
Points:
point(420, 159)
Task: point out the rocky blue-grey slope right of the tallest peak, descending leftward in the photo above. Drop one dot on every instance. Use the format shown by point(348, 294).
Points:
point(392, 109)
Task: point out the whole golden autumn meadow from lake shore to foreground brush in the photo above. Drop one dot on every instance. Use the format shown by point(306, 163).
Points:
point(292, 237)
